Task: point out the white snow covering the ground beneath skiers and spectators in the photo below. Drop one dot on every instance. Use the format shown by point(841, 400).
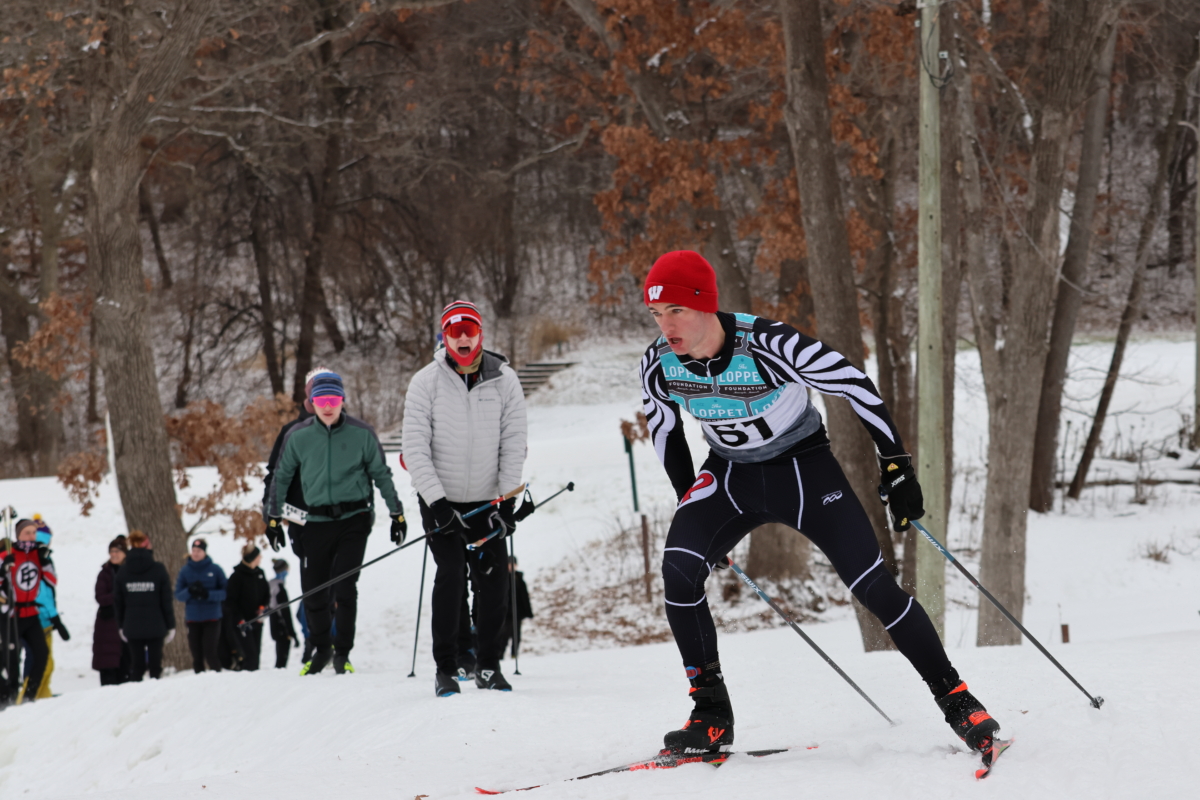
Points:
point(1124, 575)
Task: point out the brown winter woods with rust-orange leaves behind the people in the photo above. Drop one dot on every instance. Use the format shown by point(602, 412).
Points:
point(202, 200)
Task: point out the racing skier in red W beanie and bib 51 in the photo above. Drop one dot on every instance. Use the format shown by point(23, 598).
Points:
point(745, 378)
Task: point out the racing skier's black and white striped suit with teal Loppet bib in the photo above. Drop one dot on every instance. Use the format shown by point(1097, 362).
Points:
point(770, 461)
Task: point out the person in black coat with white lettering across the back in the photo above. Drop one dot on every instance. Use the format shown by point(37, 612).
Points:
point(146, 611)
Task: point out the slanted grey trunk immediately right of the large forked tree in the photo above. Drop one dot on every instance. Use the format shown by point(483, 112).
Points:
point(1075, 270)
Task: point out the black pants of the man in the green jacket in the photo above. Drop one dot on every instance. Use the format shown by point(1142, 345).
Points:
point(332, 549)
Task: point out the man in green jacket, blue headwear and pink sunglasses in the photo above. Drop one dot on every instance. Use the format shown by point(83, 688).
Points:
point(335, 458)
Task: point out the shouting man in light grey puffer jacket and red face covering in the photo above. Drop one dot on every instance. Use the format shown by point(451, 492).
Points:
point(465, 446)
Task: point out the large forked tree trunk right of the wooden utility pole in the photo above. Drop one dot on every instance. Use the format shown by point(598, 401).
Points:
point(1012, 309)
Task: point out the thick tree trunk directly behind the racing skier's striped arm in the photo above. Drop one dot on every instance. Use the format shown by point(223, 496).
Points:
point(831, 269)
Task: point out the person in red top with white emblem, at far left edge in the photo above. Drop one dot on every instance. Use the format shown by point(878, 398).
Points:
point(27, 566)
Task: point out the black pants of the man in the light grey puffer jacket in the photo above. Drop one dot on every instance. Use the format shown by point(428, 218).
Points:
point(489, 574)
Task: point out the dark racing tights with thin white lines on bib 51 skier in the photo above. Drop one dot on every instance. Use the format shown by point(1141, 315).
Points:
point(809, 494)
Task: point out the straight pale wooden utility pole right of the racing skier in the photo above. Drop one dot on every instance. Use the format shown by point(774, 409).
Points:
point(931, 389)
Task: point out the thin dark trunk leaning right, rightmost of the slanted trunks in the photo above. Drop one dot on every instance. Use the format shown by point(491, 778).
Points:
point(1133, 303)
